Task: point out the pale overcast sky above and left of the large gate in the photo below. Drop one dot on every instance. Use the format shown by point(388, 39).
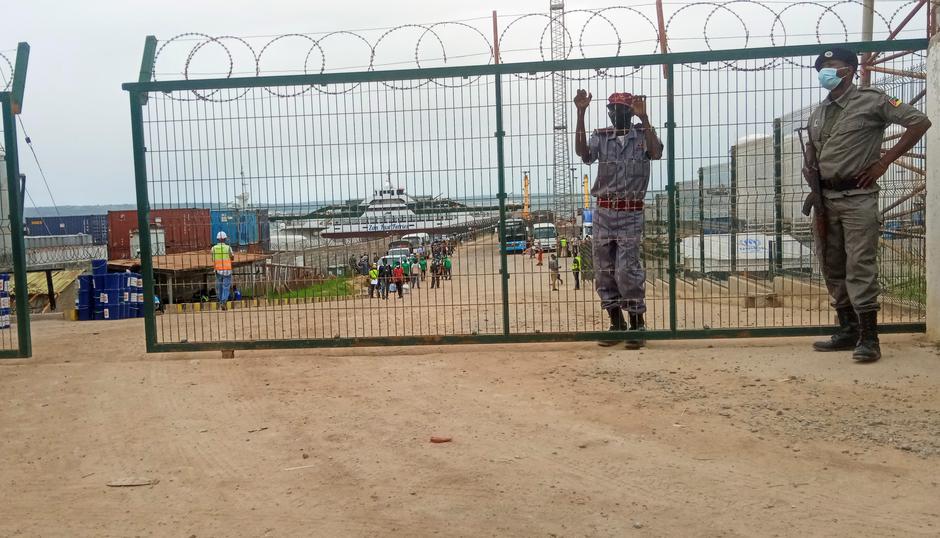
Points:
point(77, 114)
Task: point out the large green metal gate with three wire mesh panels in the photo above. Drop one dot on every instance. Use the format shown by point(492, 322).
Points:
point(341, 165)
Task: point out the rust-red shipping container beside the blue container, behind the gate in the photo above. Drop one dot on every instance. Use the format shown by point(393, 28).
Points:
point(185, 230)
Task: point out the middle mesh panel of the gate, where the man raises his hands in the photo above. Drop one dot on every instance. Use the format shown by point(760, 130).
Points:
point(564, 269)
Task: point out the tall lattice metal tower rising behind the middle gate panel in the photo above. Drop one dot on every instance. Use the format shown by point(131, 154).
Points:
point(562, 202)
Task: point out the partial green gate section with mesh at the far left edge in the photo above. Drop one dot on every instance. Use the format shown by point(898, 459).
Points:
point(14, 329)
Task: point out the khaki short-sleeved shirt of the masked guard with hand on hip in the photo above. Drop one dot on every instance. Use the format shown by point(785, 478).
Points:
point(848, 133)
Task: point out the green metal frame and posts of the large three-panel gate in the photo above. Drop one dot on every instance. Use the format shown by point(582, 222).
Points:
point(138, 93)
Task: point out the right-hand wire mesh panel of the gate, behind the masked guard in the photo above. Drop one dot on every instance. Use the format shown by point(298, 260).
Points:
point(747, 251)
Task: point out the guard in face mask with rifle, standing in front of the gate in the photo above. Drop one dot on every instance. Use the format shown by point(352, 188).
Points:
point(846, 134)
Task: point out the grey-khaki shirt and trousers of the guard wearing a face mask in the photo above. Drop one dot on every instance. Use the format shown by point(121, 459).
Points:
point(847, 135)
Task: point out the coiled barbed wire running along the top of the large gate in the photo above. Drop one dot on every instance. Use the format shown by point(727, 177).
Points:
point(318, 45)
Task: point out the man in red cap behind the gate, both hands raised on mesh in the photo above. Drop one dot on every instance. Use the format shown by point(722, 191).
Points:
point(623, 152)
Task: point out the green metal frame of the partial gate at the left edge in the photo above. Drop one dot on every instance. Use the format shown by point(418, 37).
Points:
point(12, 105)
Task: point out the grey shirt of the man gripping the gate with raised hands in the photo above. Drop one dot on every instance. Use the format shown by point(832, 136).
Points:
point(624, 170)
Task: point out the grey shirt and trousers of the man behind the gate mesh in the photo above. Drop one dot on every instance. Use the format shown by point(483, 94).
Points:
point(623, 174)
